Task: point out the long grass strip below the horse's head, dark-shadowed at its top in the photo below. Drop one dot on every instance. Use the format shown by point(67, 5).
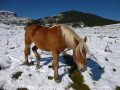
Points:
point(75, 74)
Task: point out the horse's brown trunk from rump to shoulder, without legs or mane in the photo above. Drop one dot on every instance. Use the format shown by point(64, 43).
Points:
point(45, 38)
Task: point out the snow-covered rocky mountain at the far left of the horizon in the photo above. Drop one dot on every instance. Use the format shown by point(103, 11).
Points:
point(8, 17)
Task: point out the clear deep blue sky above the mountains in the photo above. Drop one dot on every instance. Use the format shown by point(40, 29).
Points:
point(36, 9)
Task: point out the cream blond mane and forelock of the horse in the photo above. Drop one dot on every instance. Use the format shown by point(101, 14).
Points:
point(70, 37)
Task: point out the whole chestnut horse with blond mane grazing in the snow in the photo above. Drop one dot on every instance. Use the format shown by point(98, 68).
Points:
point(55, 39)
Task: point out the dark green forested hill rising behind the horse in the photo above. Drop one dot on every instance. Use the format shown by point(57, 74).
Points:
point(75, 19)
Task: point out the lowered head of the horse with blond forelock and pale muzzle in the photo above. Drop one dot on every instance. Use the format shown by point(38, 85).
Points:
point(79, 54)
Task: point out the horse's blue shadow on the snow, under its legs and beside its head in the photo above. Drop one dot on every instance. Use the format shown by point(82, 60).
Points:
point(96, 70)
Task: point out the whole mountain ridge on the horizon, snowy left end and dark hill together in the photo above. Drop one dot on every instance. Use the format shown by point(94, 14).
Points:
point(70, 18)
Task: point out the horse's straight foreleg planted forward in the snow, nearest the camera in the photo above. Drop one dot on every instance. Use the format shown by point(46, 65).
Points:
point(55, 64)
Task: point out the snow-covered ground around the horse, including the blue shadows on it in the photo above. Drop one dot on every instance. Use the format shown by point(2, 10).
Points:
point(103, 71)
